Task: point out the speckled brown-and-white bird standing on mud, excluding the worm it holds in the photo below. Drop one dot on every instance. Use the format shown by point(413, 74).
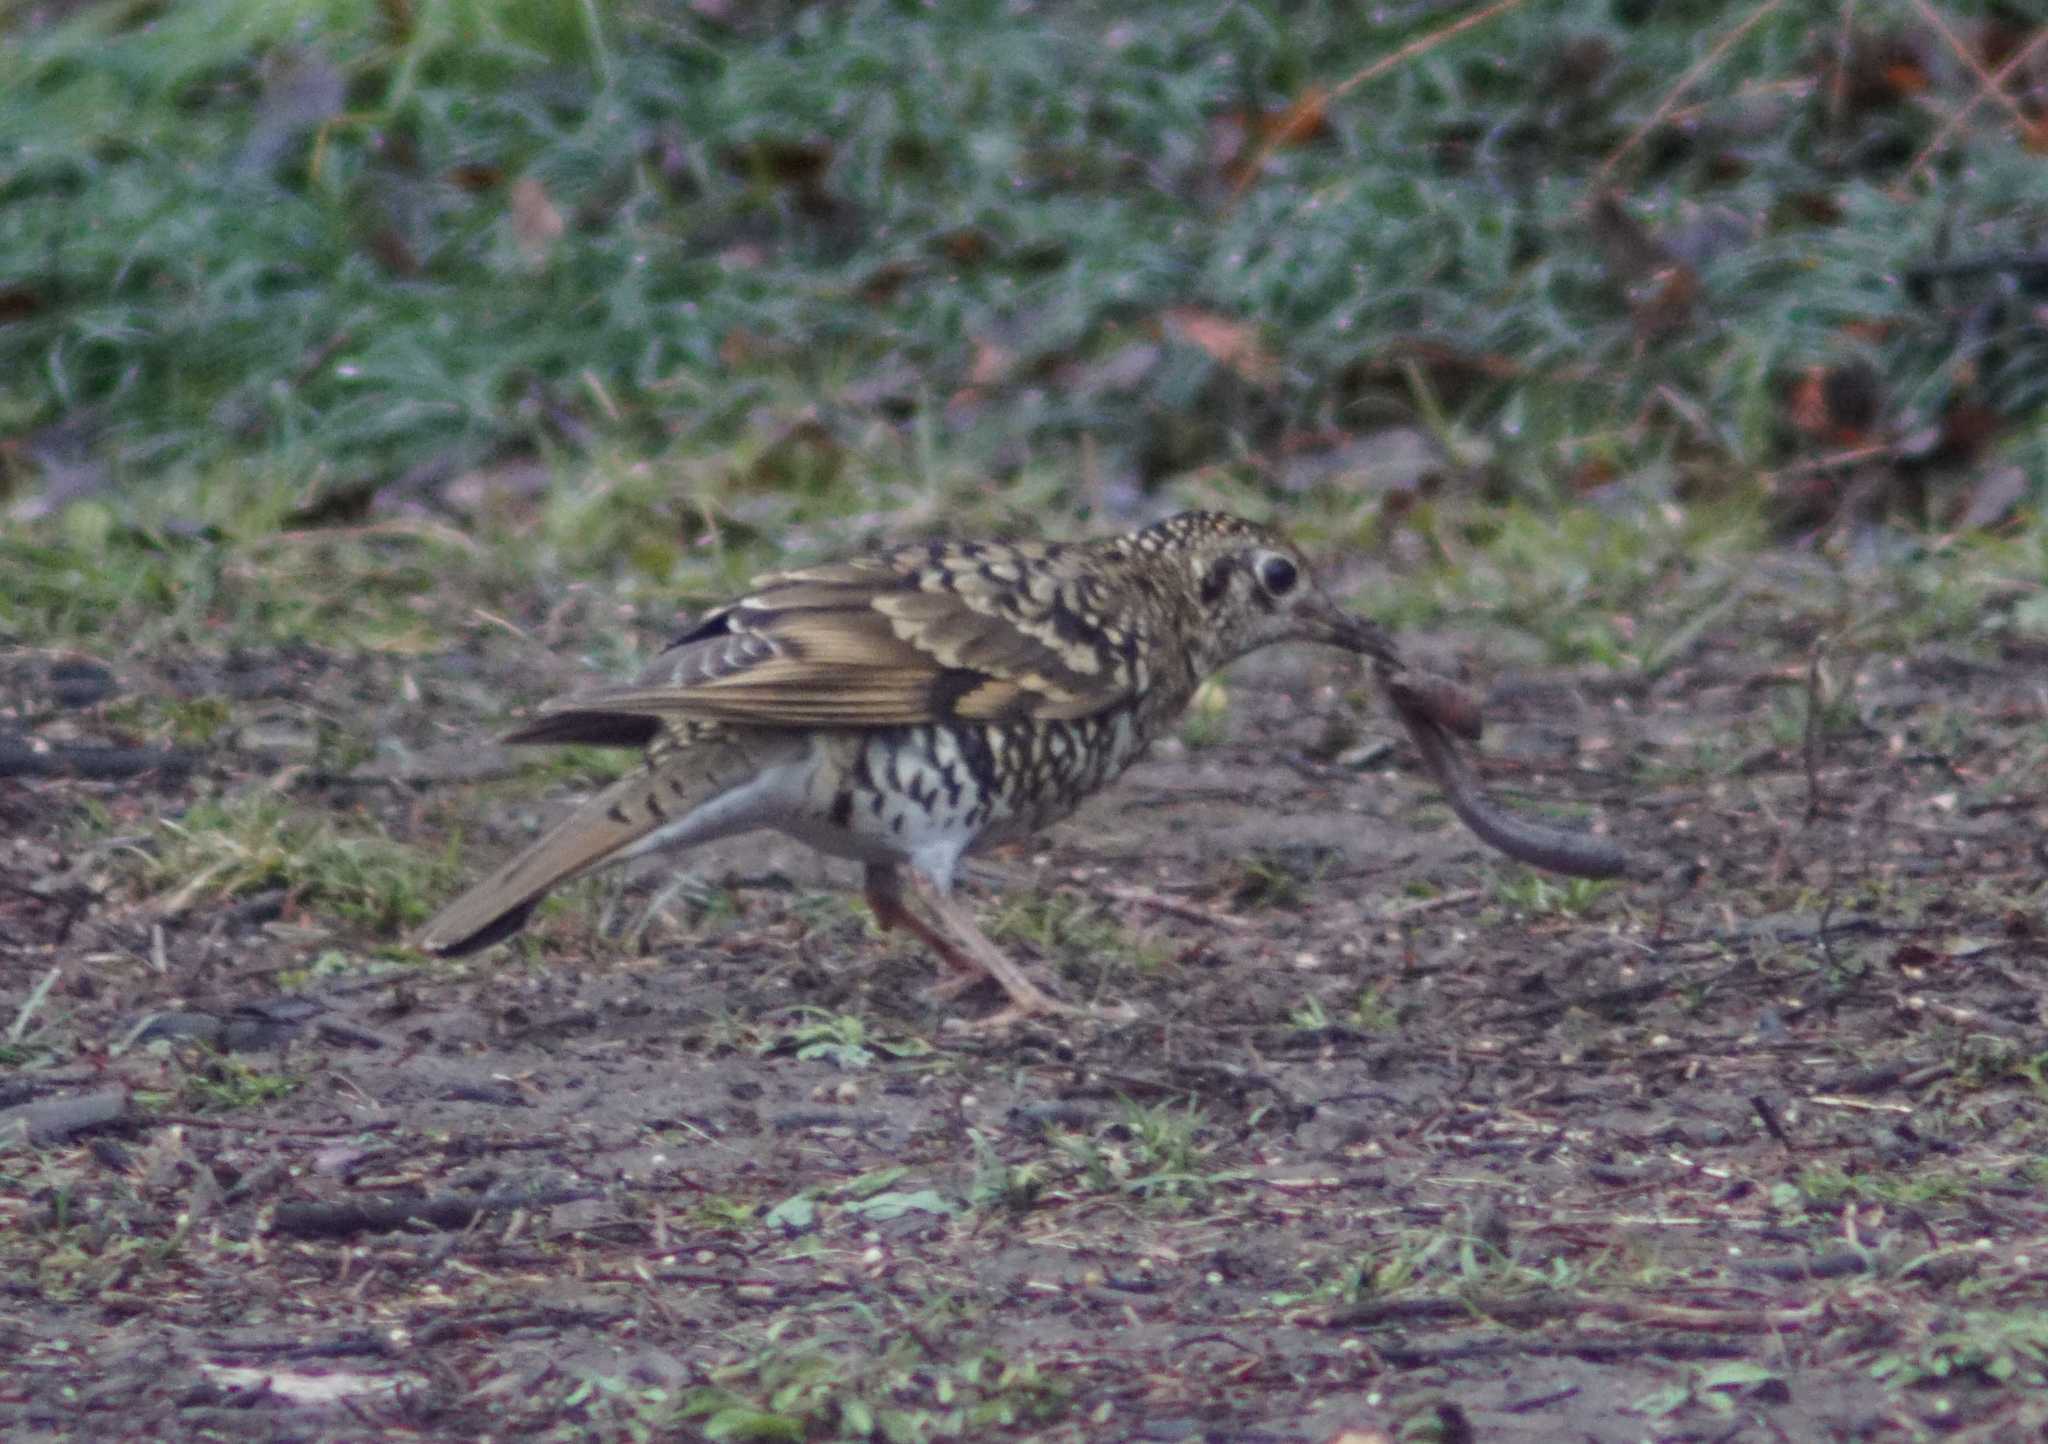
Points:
point(912, 708)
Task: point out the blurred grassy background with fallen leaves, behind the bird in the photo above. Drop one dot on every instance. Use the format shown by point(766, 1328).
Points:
point(1551, 318)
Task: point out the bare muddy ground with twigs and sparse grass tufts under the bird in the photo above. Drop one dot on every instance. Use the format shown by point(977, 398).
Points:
point(1404, 1144)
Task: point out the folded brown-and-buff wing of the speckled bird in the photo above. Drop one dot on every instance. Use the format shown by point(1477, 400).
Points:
point(931, 634)
